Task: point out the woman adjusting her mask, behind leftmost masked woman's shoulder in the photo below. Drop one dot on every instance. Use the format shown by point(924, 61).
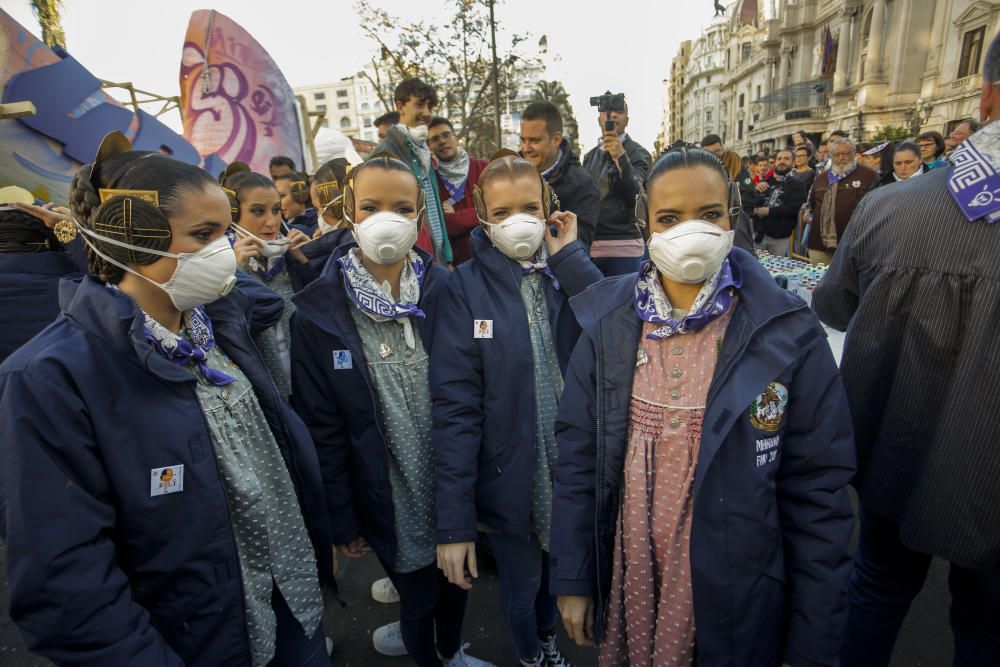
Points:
point(266, 253)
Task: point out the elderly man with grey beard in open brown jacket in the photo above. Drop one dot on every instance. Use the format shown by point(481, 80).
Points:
point(834, 196)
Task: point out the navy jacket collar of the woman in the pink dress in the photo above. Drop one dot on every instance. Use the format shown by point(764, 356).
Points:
point(616, 295)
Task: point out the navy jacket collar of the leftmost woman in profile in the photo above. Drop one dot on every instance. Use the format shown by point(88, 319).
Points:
point(117, 321)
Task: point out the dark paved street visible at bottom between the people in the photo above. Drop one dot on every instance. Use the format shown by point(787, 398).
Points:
point(924, 642)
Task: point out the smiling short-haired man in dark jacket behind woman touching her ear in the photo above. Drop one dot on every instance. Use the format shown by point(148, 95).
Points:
point(543, 145)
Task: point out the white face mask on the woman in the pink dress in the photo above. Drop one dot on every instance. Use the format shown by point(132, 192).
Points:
point(691, 251)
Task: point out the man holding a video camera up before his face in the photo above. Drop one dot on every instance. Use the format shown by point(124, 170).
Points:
point(619, 166)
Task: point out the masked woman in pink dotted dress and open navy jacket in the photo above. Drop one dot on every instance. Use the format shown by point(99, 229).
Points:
point(704, 451)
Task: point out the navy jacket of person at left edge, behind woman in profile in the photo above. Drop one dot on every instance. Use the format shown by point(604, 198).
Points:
point(29, 294)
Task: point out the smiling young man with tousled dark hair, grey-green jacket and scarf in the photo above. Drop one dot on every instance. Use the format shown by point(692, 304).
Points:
point(407, 140)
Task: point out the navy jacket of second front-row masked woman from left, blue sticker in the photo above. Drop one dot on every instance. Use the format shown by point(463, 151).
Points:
point(339, 404)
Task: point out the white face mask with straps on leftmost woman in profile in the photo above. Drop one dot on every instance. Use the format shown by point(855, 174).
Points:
point(200, 277)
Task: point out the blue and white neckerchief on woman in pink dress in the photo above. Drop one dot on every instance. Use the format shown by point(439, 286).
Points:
point(714, 299)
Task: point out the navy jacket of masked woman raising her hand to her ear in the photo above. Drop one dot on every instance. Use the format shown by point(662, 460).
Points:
point(483, 389)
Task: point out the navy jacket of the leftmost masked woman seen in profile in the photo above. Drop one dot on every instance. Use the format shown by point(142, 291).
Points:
point(100, 572)
